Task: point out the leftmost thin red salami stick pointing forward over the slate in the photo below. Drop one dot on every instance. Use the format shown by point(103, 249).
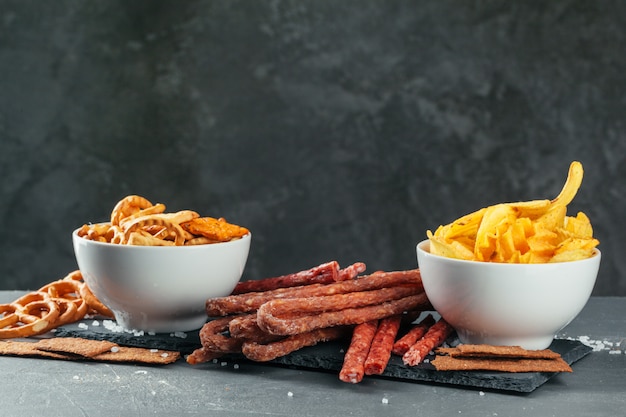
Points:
point(353, 368)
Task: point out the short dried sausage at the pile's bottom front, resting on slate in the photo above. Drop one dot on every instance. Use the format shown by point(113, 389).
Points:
point(267, 352)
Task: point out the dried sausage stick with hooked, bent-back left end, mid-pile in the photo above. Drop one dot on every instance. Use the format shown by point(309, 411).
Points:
point(270, 323)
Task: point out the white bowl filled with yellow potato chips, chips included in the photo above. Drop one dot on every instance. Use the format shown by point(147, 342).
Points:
point(512, 274)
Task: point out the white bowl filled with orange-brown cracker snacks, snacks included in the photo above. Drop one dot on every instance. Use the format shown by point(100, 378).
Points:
point(155, 270)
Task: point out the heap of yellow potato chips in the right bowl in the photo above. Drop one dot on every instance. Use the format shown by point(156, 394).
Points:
point(536, 231)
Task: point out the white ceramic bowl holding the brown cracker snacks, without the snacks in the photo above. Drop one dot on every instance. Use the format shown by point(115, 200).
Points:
point(164, 288)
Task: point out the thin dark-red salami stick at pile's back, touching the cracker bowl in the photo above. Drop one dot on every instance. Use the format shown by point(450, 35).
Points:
point(326, 272)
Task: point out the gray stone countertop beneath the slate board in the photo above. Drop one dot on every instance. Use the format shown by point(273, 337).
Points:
point(597, 387)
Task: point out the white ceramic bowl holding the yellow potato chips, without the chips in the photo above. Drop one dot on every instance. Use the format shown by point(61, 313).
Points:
point(507, 304)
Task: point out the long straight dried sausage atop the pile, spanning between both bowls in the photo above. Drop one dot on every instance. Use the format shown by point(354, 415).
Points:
point(245, 303)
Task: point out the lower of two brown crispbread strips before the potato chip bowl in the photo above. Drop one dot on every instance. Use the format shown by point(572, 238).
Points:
point(449, 363)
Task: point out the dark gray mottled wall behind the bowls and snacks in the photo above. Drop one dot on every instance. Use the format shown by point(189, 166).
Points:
point(332, 129)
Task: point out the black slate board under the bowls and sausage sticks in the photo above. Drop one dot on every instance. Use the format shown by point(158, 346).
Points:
point(329, 357)
